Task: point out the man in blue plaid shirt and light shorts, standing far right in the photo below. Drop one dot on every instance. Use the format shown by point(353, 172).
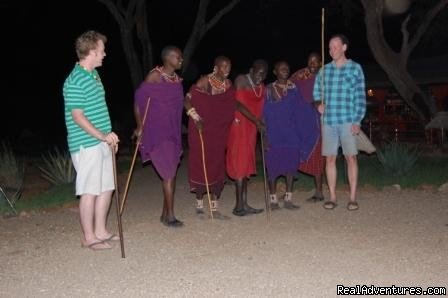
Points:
point(343, 107)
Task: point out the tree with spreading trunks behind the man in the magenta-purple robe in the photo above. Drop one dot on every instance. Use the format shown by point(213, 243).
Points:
point(133, 21)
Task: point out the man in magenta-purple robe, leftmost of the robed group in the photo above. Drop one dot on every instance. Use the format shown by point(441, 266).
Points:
point(161, 140)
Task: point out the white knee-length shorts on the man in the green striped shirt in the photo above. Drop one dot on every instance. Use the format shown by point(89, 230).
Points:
point(94, 170)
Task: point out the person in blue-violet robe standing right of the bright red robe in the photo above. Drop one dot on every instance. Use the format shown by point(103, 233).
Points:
point(291, 134)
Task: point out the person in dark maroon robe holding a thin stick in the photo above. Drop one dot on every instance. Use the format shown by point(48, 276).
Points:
point(211, 106)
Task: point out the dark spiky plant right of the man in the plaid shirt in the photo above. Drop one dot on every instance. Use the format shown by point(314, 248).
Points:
point(398, 159)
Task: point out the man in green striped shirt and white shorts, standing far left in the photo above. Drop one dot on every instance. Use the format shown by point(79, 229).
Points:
point(89, 139)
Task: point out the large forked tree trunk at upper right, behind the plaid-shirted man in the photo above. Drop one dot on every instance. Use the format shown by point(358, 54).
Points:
point(393, 62)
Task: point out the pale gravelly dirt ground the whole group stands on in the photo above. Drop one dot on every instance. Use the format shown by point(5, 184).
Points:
point(396, 239)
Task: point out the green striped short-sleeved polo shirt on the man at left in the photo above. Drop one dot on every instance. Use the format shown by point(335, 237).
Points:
point(83, 90)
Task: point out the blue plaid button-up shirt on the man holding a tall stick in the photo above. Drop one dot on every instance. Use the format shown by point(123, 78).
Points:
point(344, 93)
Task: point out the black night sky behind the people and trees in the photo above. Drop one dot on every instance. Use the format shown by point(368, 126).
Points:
point(39, 38)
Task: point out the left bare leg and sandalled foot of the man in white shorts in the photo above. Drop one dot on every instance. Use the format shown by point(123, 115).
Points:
point(87, 216)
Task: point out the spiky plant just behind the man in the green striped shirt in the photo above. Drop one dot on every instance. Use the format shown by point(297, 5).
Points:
point(58, 167)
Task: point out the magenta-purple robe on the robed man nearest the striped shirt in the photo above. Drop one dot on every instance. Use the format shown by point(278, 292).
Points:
point(161, 139)
